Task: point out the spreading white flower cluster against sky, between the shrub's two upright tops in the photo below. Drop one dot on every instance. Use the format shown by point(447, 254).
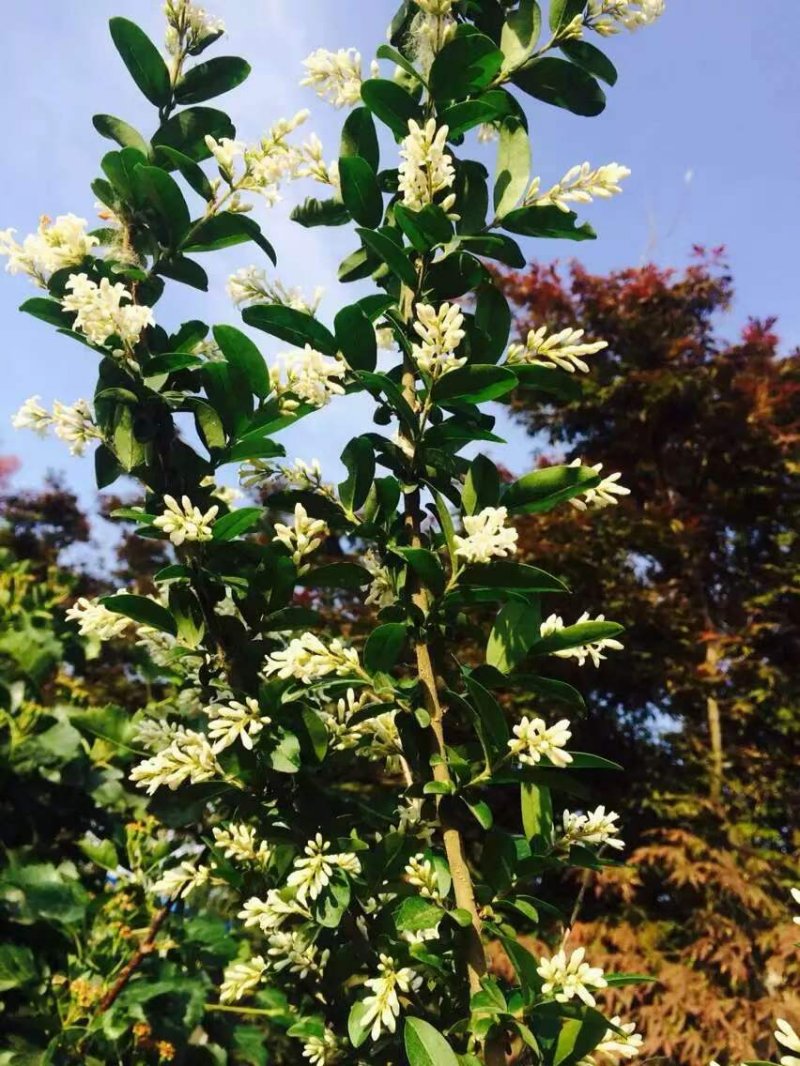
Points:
point(259, 168)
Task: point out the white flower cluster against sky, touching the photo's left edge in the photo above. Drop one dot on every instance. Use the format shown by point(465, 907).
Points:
point(54, 247)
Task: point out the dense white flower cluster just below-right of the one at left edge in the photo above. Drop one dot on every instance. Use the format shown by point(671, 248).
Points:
point(105, 311)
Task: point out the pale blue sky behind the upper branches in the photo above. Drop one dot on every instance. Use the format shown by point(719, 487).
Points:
point(706, 116)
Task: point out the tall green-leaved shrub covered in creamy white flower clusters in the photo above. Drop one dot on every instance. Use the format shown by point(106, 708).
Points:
point(347, 807)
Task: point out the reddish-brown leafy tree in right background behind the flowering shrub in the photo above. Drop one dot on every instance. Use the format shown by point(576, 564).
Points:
point(706, 705)
